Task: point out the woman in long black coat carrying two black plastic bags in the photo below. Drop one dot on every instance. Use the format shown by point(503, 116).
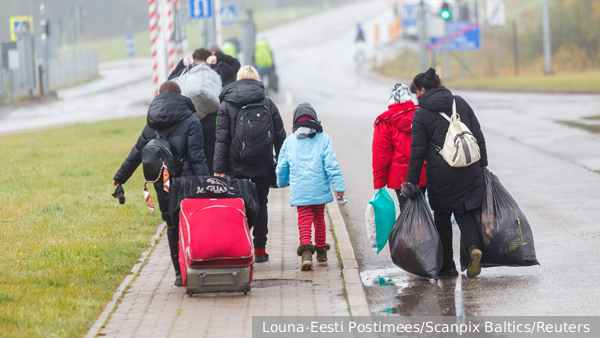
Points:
point(452, 190)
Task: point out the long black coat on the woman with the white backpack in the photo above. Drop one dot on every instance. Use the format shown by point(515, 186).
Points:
point(450, 189)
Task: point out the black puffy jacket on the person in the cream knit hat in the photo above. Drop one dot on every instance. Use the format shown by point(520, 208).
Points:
point(233, 98)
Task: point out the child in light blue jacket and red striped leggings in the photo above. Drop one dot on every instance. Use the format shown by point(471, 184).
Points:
point(307, 163)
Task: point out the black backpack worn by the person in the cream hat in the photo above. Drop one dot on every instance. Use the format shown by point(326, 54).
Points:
point(252, 140)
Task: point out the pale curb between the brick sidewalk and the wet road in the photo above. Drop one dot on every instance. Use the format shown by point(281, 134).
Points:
point(357, 299)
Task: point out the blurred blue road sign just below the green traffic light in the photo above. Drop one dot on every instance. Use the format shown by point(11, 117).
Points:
point(462, 36)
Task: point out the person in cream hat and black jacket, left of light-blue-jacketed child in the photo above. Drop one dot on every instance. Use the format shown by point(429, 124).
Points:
point(246, 90)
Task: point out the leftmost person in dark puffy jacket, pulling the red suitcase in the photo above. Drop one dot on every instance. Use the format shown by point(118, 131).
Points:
point(173, 112)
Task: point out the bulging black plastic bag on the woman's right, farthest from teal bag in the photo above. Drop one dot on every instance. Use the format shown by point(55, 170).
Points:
point(505, 236)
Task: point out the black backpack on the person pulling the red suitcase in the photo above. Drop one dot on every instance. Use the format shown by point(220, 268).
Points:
point(157, 153)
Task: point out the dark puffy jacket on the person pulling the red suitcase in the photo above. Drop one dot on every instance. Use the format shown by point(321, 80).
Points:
point(166, 110)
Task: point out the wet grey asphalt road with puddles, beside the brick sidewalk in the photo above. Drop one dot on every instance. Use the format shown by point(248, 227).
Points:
point(552, 170)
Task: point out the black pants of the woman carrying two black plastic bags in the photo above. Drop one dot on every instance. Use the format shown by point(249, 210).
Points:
point(468, 229)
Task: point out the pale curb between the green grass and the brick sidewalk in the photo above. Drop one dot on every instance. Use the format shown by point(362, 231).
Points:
point(113, 303)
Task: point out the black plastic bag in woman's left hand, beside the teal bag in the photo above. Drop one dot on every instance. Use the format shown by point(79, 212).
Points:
point(414, 241)
